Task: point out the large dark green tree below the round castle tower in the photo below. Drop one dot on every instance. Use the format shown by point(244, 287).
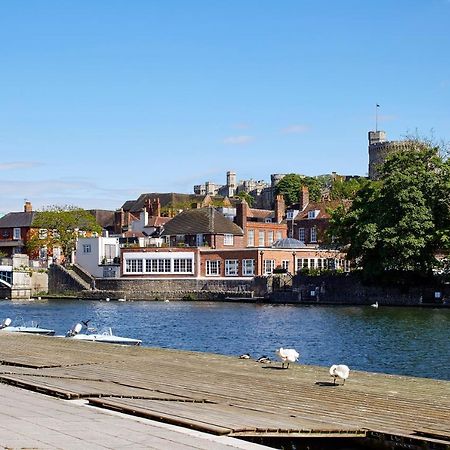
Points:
point(399, 223)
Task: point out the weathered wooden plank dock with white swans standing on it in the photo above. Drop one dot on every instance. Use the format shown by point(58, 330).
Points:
point(229, 396)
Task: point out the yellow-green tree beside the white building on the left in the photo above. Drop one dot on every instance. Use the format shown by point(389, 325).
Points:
point(62, 224)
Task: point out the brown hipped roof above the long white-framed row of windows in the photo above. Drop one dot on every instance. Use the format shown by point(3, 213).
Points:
point(201, 221)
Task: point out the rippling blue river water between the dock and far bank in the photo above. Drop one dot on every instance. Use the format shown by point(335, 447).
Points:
point(408, 341)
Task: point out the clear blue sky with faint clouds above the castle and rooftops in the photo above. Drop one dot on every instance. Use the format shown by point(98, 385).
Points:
point(102, 100)
